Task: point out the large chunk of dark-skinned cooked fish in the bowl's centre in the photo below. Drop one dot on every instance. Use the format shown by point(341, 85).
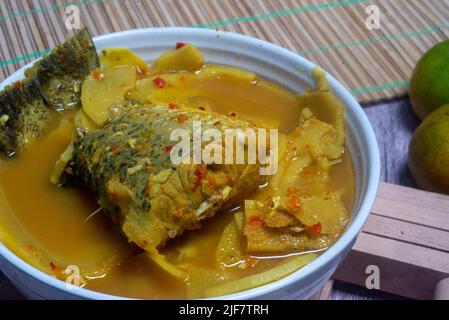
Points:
point(127, 165)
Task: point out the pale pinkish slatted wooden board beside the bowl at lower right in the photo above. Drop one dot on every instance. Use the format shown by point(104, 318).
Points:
point(407, 238)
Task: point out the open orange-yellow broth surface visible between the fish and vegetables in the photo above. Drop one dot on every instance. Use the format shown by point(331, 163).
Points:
point(55, 225)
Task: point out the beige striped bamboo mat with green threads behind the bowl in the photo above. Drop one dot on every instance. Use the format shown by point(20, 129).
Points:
point(375, 64)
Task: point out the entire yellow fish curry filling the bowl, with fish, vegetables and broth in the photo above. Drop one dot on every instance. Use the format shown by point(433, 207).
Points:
point(103, 193)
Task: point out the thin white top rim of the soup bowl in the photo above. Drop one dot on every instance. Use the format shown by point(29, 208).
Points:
point(344, 241)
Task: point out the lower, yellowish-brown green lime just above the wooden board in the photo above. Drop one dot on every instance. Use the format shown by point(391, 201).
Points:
point(428, 153)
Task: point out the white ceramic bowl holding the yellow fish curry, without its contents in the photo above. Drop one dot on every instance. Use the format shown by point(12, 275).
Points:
point(275, 64)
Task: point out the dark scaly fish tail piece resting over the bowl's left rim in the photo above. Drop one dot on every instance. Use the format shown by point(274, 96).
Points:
point(51, 84)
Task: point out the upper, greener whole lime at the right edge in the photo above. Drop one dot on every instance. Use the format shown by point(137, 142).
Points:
point(429, 86)
